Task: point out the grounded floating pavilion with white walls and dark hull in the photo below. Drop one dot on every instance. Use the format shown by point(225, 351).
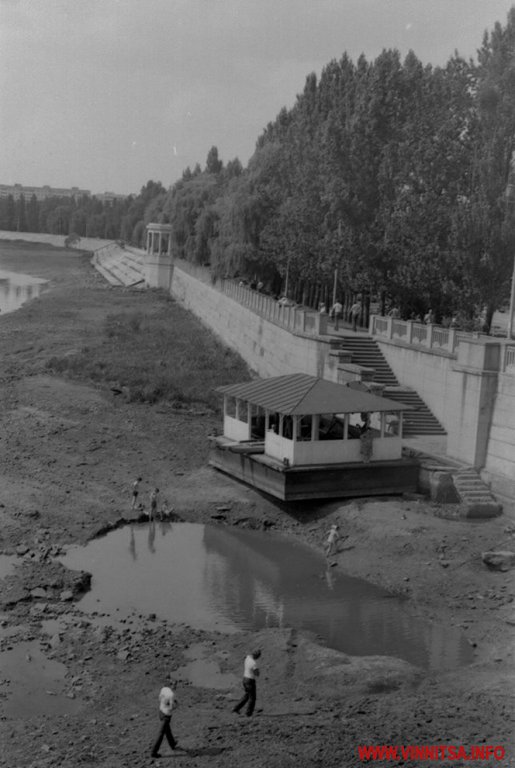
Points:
point(301, 437)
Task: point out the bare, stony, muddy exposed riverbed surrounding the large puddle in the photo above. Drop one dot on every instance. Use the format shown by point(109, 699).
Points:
point(69, 451)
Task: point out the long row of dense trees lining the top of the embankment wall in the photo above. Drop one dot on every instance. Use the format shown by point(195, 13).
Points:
point(386, 178)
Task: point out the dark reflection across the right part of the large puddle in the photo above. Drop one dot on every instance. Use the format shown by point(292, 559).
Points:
point(263, 581)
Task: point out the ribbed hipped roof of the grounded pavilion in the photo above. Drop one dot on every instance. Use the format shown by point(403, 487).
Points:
point(302, 395)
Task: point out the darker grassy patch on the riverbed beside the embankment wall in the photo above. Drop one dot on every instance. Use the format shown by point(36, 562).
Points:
point(160, 355)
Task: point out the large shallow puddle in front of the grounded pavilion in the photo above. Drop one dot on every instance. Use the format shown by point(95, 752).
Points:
point(213, 577)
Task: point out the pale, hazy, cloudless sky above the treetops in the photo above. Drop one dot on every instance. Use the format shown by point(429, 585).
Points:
point(107, 94)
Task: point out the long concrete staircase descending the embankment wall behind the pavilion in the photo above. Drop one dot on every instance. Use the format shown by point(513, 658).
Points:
point(419, 421)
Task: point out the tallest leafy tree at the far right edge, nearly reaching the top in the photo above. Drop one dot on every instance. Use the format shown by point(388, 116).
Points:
point(484, 226)
